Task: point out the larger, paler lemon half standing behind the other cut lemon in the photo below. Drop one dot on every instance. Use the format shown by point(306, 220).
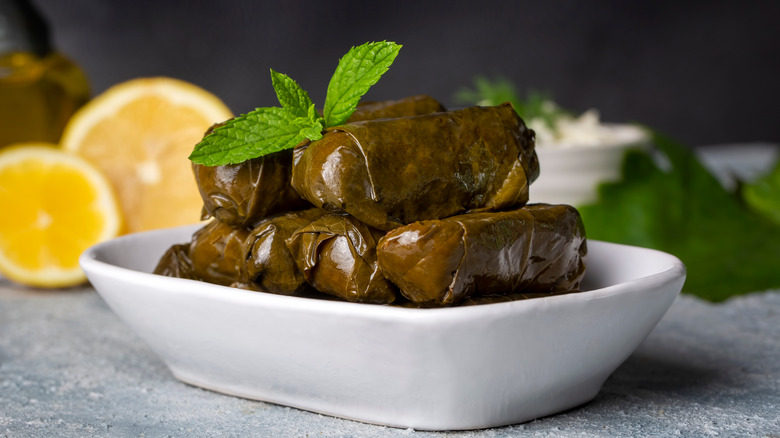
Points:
point(140, 134)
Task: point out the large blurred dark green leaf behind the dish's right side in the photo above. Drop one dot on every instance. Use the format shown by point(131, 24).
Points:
point(727, 249)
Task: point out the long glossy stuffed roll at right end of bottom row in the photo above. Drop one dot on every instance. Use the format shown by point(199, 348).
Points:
point(536, 249)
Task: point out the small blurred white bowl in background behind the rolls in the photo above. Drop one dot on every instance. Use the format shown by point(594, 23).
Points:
point(570, 174)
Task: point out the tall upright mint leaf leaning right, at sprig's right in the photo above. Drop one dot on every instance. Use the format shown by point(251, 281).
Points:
point(357, 71)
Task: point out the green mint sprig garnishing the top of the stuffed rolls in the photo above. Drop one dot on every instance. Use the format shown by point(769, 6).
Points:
point(273, 129)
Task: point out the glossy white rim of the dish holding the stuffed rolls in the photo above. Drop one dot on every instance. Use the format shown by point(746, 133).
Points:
point(92, 264)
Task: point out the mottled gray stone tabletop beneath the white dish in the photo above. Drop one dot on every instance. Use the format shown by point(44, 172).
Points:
point(70, 368)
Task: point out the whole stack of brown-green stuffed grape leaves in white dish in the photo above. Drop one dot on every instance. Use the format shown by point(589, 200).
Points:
point(405, 204)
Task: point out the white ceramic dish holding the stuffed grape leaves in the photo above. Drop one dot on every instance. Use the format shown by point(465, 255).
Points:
point(436, 369)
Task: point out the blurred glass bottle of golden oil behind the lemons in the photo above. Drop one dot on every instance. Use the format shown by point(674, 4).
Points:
point(39, 88)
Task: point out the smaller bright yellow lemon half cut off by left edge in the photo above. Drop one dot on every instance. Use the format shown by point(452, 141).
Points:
point(54, 206)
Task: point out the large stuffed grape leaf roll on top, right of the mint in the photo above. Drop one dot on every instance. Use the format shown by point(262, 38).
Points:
point(391, 172)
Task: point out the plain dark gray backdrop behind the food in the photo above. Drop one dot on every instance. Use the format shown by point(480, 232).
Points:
point(704, 72)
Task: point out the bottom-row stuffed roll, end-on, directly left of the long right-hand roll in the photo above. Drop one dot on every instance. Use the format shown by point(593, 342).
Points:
point(337, 255)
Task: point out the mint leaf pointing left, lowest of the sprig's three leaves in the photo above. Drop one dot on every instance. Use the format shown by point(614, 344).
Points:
point(260, 132)
